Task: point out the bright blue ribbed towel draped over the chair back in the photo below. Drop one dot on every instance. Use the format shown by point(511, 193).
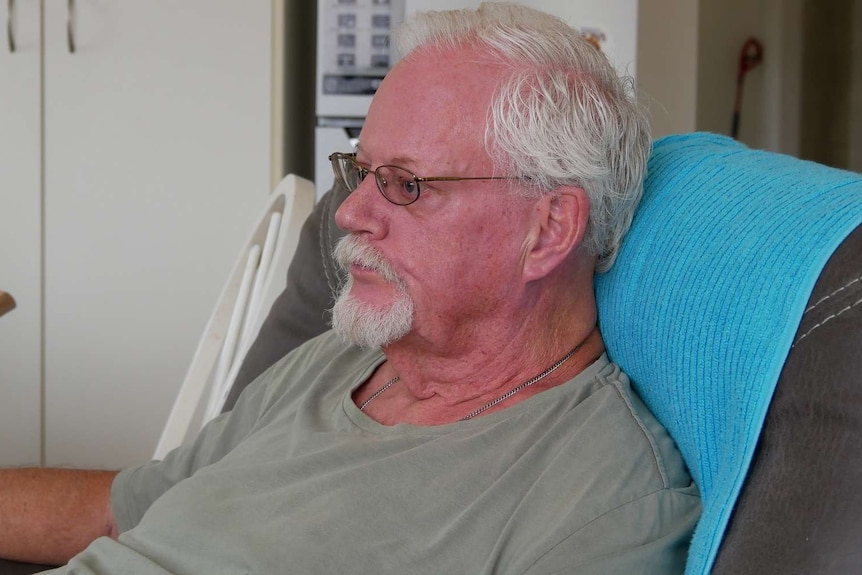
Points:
point(704, 300)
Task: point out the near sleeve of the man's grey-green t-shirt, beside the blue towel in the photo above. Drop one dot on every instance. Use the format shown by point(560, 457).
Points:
point(649, 535)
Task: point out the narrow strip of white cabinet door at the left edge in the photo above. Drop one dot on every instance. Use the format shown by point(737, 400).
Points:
point(20, 235)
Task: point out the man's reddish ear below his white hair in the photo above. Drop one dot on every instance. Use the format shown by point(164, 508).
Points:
point(559, 225)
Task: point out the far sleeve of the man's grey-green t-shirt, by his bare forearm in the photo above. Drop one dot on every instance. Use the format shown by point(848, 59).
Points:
point(135, 489)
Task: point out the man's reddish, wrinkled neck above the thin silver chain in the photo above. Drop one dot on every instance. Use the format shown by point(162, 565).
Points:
point(447, 371)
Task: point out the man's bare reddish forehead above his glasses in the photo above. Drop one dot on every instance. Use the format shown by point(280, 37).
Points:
point(432, 108)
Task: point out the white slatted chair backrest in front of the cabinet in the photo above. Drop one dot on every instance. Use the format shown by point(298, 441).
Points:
point(254, 283)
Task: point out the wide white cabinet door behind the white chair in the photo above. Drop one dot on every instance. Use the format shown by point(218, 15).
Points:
point(157, 150)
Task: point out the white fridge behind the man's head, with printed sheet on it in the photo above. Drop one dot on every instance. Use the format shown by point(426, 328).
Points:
point(353, 55)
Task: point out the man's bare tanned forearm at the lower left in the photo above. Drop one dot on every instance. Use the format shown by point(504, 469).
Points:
point(50, 515)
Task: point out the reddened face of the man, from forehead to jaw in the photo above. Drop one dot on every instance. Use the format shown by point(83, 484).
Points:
point(456, 252)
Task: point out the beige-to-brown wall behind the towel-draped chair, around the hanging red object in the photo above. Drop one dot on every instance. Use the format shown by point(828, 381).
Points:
point(804, 99)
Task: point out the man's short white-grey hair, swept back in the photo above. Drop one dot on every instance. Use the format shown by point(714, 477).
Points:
point(562, 117)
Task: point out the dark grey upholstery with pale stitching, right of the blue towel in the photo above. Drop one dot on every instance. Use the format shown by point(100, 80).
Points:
point(801, 508)
